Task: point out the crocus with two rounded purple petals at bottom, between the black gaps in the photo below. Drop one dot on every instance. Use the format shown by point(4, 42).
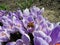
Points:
point(24, 41)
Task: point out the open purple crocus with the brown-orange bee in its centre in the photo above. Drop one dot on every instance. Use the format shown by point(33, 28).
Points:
point(29, 21)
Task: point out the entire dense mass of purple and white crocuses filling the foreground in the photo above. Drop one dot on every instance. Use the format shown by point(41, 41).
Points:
point(28, 27)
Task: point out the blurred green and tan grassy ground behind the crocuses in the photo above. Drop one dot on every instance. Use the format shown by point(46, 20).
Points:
point(52, 7)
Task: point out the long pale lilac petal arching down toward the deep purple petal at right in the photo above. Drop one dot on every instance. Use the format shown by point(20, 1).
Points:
point(43, 35)
